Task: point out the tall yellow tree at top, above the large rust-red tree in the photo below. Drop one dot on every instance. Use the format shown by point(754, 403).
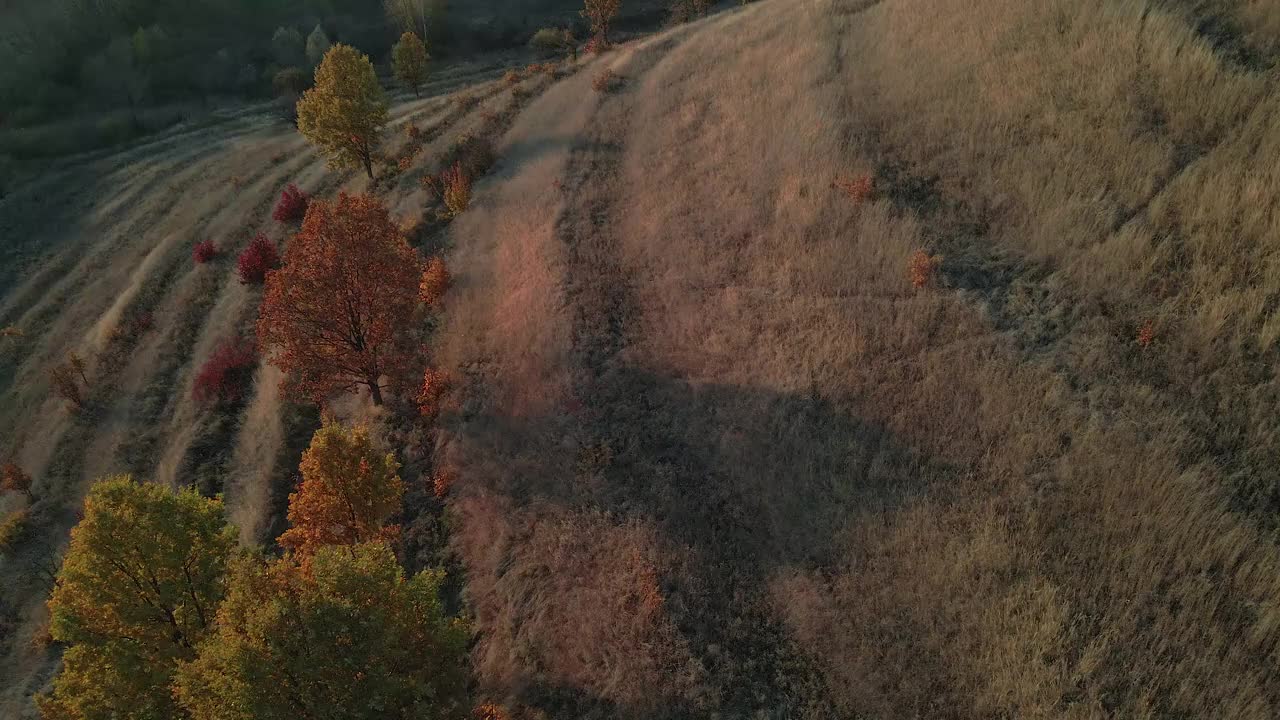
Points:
point(344, 113)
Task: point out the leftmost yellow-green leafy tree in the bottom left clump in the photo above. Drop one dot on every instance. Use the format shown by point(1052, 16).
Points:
point(138, 591)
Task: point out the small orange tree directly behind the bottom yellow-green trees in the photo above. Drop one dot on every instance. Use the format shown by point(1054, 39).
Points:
point(348, 495)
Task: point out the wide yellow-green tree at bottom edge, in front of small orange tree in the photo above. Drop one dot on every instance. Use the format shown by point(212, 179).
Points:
point(344, 637)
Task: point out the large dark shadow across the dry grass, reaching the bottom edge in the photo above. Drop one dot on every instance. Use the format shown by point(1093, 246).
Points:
point(744, 484)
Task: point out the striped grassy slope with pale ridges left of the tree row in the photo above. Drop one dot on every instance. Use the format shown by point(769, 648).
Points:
point(108, 239)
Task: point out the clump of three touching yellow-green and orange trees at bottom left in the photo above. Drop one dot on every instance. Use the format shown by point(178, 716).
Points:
point(166, 618)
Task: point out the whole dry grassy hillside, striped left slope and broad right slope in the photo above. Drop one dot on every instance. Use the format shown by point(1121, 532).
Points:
point(714, 452)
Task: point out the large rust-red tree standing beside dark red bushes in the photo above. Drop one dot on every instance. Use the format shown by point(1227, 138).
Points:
point(333, 313)
